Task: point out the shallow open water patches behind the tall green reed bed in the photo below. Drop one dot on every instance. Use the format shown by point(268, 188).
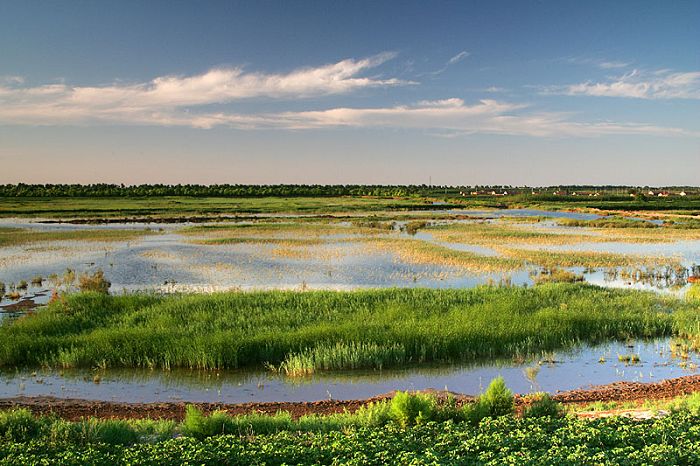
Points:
point(169, 261)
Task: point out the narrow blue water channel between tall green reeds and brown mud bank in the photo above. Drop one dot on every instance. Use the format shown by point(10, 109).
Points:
point(564, 370)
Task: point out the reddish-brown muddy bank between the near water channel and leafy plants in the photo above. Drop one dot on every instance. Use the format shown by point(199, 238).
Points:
point(75, 409)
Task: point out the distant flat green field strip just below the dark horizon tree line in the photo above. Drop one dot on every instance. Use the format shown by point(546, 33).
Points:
point(189, 207)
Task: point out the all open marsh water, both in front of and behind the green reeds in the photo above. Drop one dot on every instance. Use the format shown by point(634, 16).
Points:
point(169, 261)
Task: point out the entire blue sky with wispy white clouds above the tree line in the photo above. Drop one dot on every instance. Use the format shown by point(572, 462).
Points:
point(538, 92)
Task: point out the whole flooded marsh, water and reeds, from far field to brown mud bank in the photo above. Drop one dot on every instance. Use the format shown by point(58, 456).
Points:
point(267, 266)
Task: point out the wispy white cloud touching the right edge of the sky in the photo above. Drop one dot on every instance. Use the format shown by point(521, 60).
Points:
point(660, 84)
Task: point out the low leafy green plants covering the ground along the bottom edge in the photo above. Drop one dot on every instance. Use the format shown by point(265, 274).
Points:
point(674, 439)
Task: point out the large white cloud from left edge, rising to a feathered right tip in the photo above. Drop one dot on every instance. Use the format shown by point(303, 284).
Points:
point(57, 103)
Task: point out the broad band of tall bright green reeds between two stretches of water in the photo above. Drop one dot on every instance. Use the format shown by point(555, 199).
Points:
point(377, 328)
